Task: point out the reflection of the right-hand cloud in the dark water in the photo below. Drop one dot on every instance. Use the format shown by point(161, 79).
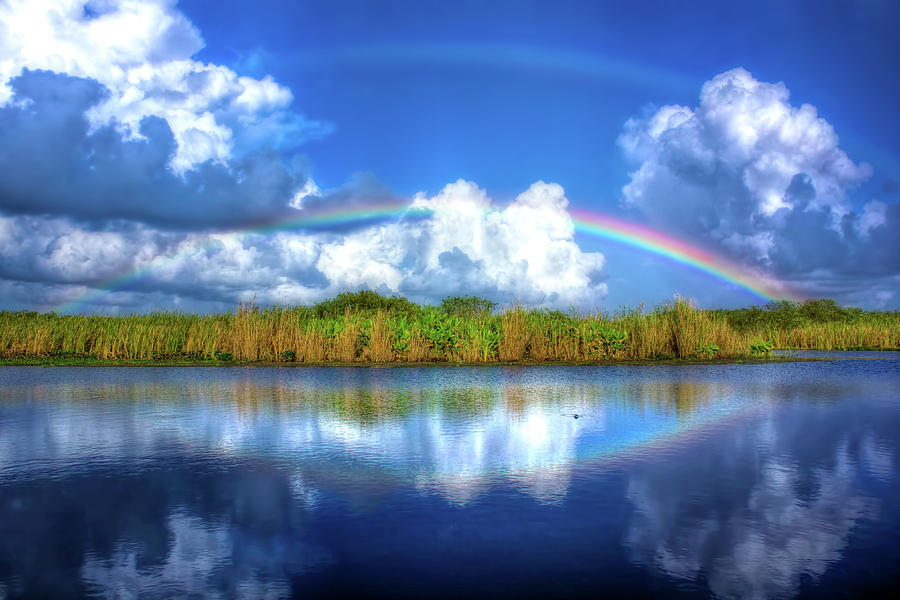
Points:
point(794, 520)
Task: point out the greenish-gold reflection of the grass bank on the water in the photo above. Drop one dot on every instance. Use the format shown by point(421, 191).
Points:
point(381, 401)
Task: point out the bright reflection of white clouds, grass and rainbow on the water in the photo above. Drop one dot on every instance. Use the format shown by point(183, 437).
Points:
point(453, 440)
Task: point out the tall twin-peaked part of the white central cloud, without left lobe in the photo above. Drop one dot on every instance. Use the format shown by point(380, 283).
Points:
point(526, 250)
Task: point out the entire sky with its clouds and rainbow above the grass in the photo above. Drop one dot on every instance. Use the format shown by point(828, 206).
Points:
point(190, 156)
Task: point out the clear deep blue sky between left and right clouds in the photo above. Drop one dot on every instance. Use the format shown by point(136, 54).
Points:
point(472, 81)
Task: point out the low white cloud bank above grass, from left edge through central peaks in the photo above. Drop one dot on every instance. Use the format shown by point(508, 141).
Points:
point(522, 252)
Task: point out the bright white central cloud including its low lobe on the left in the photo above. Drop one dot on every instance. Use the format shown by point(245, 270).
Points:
point(525, 251)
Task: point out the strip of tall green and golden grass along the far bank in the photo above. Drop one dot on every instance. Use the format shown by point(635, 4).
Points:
point(676, 330)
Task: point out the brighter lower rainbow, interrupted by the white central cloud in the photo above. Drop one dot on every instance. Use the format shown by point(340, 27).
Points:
point(590, 223)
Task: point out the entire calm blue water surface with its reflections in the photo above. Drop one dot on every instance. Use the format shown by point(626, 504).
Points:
point(737, 481)
